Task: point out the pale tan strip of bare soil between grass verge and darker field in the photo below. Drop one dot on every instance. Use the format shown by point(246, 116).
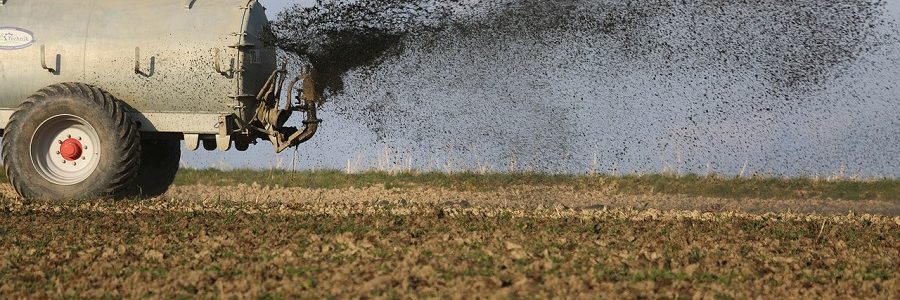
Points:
point(529, 196)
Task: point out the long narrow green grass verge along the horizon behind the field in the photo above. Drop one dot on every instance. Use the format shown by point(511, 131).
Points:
point(690, 185)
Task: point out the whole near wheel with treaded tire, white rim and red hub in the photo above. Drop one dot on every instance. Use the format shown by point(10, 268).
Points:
point(71, 141)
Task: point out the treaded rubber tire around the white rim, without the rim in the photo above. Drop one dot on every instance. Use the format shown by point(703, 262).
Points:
point(119, 142)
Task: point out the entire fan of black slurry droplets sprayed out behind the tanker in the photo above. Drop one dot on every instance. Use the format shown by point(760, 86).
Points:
point(639, 85)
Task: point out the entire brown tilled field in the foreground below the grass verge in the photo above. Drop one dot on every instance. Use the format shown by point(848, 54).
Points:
point(530, 242)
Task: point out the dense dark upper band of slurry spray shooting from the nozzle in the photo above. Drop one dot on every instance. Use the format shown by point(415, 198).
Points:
point(798, 40)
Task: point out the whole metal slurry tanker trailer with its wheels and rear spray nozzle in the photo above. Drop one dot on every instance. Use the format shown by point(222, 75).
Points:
point(97, 95)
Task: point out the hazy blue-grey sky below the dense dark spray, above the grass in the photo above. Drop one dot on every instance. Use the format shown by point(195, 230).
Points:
point(574, 119)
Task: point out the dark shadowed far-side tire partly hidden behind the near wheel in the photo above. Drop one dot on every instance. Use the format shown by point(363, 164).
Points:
point(159, 165)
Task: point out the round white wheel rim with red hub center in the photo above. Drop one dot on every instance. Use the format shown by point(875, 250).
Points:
point(65, 149)
